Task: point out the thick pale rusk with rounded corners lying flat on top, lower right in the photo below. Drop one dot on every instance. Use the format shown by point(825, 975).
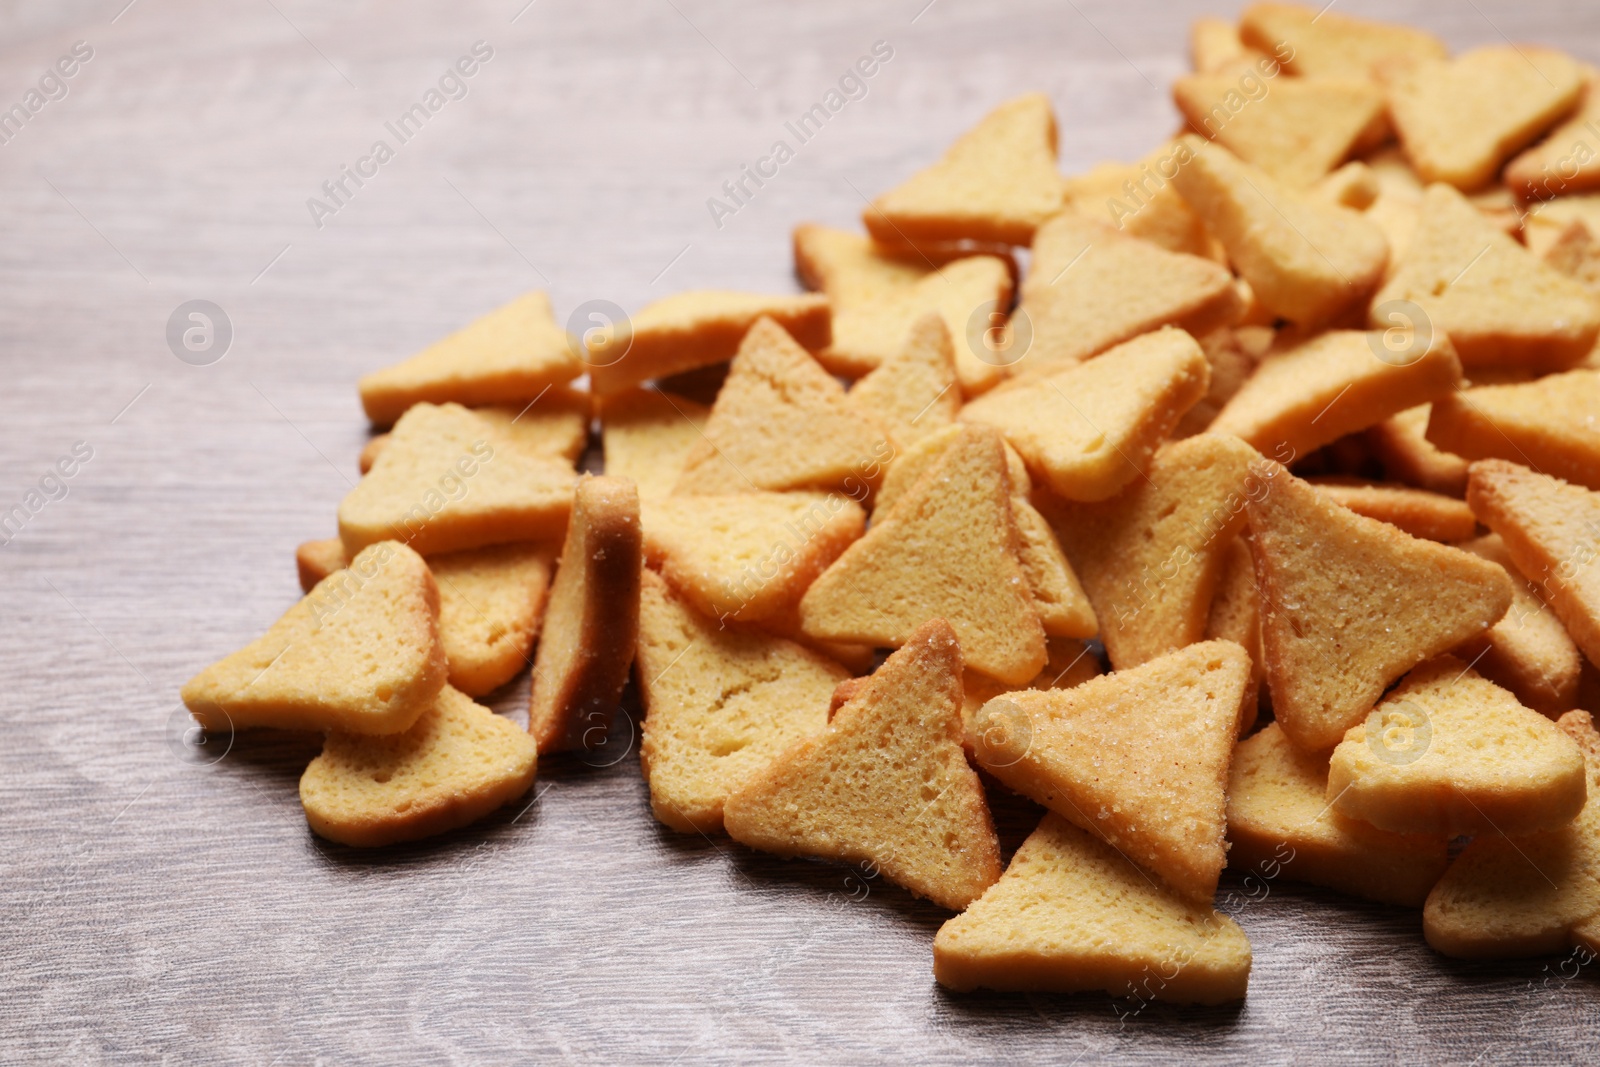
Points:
point(1450, 753)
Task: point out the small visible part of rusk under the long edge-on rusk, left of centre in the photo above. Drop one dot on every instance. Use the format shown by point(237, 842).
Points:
point(649, 436)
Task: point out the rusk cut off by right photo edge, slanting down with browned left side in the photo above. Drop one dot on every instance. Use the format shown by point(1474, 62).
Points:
point(1550, 529)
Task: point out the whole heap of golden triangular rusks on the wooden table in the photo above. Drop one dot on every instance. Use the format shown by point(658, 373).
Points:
point(1362, 258)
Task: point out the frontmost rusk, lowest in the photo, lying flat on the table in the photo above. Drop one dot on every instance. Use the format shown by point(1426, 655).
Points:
point(1073, 916)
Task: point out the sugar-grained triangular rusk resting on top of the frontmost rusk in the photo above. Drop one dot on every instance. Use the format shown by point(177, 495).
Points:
point(1137, 757)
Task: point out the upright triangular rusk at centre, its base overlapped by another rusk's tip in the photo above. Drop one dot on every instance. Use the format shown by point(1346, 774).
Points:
point(950, 549)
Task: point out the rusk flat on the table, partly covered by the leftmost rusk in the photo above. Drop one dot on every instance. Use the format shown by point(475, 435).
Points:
point(454, 767)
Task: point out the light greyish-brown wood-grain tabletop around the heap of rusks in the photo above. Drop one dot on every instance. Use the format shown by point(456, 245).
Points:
point(154, 908)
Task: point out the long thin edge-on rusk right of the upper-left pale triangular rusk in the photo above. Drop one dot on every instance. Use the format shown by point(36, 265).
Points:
point(690, 330)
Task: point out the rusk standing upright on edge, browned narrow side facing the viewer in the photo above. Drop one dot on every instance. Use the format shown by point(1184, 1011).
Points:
point(591, 625)
